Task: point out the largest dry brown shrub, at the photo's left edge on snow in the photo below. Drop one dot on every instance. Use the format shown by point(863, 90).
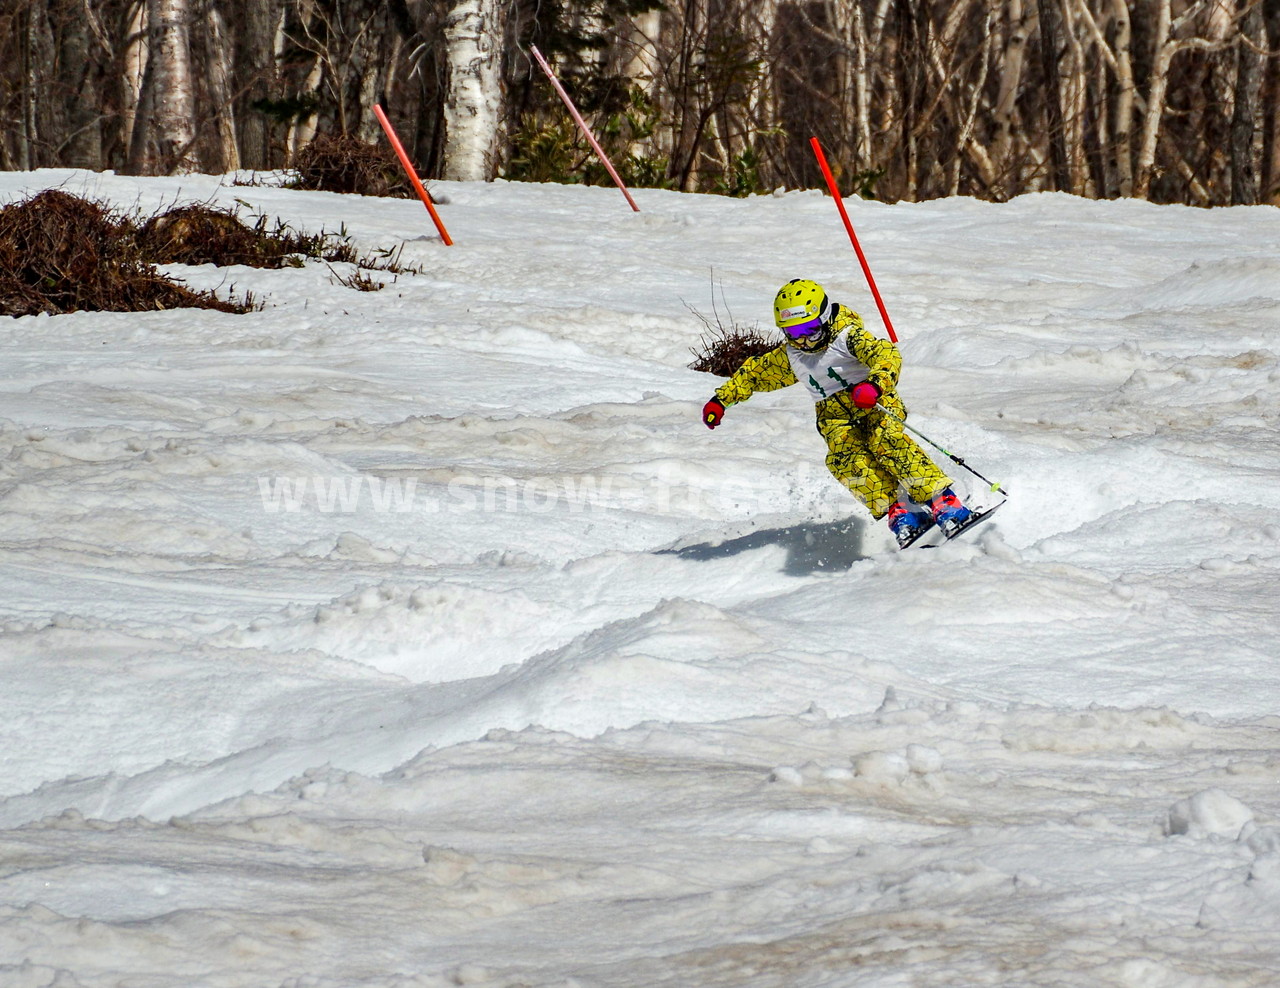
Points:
point(65, 254)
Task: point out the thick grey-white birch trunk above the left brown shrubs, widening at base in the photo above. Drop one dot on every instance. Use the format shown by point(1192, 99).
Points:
point(164, 134)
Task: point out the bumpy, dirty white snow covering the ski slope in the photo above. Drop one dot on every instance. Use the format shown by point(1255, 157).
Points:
point(426, 638)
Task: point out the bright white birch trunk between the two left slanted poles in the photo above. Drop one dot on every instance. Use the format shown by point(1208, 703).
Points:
point(474, 95)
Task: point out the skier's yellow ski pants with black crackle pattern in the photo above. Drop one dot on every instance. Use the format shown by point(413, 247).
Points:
point(872, 455)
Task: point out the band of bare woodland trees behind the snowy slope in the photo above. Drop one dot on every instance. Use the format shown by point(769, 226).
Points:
point(1168, 100)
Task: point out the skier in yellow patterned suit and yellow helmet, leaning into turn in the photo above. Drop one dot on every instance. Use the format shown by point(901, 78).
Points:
point(852, 376)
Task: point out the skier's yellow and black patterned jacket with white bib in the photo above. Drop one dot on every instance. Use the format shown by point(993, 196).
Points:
point(853, 356)
